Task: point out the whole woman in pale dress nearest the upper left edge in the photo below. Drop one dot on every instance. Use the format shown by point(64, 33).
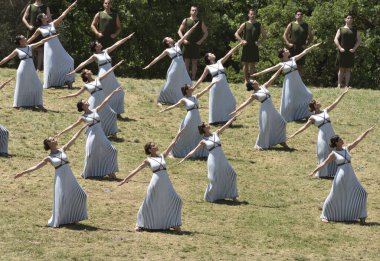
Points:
point(28, 91)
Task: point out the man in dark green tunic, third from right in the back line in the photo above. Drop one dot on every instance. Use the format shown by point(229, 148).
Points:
point(251, 33)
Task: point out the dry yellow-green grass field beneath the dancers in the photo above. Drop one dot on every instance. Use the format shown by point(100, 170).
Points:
point(278, 218)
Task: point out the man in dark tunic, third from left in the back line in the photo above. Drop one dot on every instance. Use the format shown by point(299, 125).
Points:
point(192, 44)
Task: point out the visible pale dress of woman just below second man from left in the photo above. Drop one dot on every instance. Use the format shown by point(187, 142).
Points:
point(109, 84)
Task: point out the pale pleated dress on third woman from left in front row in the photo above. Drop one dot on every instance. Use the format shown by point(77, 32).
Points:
point(222, 178)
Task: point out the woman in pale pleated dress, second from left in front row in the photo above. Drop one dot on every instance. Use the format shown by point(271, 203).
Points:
point(161, 208)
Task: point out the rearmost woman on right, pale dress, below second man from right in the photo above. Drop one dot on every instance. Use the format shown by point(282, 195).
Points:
point(295, 95)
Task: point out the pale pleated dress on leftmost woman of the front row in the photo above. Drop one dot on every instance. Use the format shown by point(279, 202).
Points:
point(69, 199)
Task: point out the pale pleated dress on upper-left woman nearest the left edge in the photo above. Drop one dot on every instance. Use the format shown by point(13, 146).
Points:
point(28, 91)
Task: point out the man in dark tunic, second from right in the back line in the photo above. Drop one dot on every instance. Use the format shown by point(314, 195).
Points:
point(297, 37)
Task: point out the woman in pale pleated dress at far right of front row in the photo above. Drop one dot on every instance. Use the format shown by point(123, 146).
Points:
point(347, 200)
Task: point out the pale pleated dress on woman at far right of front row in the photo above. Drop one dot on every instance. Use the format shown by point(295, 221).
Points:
point(347, 200)
